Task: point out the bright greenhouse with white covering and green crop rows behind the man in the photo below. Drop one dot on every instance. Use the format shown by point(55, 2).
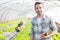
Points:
point(12, 12)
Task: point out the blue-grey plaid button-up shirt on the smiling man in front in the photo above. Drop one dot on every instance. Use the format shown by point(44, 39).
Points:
point(45, 25)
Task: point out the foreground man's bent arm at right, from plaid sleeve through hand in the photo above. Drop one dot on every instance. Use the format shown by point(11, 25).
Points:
point(53, 28)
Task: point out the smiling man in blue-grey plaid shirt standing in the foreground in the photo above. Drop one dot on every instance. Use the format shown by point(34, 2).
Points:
point(41, 25)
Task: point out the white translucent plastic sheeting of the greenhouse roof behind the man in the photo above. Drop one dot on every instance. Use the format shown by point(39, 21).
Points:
point(16, 9)
